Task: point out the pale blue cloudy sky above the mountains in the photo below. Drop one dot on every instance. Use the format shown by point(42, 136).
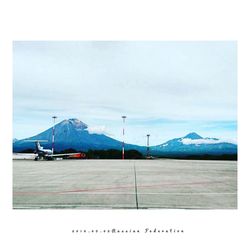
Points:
point(166, 89)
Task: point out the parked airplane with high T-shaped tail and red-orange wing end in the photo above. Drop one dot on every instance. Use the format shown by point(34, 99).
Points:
point(47, 154)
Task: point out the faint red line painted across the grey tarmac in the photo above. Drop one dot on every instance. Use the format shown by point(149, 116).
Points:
point(115, 188)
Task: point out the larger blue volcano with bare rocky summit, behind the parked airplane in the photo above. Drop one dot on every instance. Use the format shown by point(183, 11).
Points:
point(71, 133)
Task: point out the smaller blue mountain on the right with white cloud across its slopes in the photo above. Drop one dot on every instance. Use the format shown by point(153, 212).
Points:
point(193, 144)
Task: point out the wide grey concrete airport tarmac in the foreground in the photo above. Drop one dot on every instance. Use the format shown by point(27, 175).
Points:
point(124, 184)
